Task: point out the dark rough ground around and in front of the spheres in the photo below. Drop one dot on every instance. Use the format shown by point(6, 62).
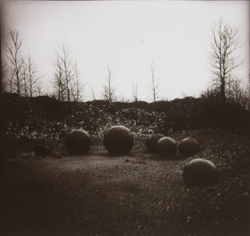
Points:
point(139, 194)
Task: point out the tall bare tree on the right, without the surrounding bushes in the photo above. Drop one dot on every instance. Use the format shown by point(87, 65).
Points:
point(225, 42)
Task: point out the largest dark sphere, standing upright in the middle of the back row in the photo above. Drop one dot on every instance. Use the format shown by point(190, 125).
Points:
point(118, 140)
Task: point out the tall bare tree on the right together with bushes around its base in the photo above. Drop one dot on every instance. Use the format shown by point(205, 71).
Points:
point(226, 86)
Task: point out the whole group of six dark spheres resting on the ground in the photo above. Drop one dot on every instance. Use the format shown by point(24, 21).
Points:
point(118, 140)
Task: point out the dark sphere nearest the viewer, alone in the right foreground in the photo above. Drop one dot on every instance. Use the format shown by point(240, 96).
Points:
point(200, 173)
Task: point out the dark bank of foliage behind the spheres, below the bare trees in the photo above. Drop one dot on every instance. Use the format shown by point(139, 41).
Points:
point(46, 118)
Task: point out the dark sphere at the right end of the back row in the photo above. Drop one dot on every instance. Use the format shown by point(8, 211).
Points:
point(189, 147)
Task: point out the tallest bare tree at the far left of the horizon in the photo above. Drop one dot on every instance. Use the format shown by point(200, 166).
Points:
point(16, 65)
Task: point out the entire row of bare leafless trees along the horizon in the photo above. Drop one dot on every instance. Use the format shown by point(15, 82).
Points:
point(20, 75)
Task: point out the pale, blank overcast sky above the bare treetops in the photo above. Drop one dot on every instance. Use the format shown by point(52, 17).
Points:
point(128, 36)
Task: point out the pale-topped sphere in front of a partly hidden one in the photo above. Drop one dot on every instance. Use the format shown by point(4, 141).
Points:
point(167, 147)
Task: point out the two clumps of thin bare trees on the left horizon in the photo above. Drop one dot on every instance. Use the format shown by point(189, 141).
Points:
point(20, 75)
